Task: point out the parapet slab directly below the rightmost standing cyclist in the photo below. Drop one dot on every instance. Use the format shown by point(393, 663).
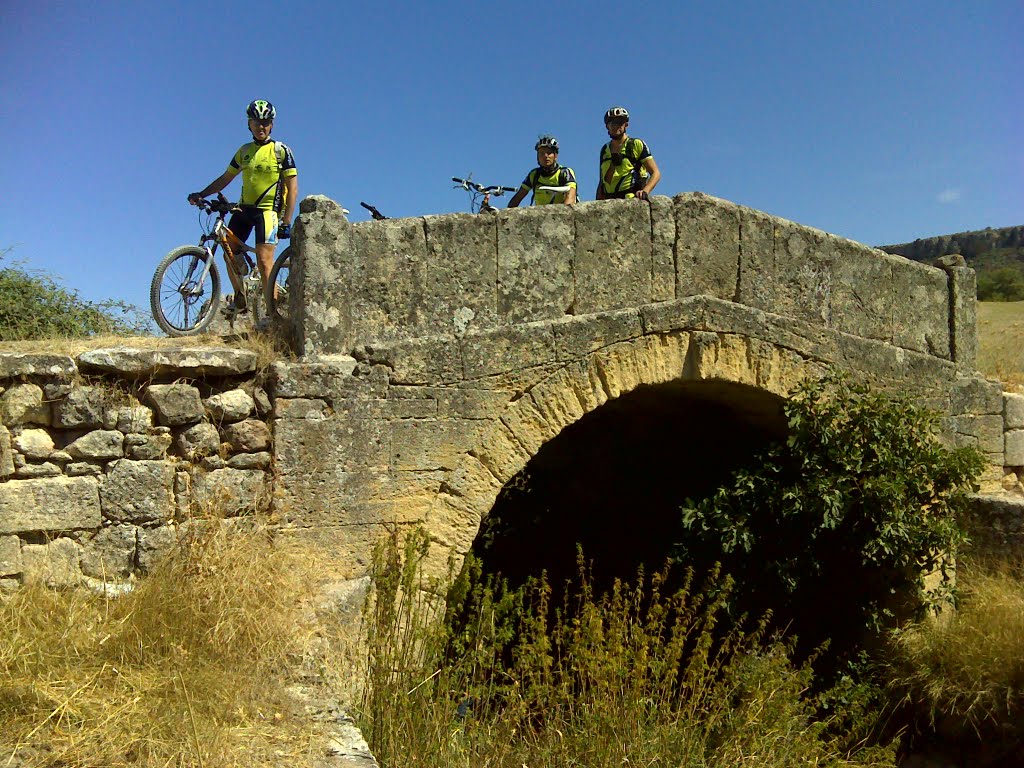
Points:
point(613, 262)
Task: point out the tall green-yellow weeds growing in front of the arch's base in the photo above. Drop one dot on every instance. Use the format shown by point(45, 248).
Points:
point(633, 677)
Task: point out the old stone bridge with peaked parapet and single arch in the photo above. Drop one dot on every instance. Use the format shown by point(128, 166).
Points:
point(594, 365)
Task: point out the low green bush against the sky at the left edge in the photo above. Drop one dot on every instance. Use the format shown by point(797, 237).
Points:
point(34, 306)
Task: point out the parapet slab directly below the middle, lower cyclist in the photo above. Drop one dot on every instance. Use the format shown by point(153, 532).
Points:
point(535, 264)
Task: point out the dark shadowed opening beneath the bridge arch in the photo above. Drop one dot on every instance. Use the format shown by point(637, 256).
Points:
point(614, 483)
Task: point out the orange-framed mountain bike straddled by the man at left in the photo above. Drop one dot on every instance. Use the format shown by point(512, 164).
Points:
point(185, 294)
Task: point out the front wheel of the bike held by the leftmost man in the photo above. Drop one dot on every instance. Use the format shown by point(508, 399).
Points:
point(185, 295)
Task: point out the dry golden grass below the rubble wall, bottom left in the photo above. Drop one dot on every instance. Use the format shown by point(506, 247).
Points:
point(190, 669)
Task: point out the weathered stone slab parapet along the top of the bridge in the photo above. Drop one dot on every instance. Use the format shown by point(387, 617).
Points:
point(403, 279)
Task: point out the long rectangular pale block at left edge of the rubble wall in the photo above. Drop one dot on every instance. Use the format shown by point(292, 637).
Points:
point(50, 505)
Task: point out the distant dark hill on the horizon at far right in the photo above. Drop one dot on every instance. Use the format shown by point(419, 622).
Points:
point(997, 255)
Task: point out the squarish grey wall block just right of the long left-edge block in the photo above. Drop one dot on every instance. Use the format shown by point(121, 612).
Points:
point(139, 492)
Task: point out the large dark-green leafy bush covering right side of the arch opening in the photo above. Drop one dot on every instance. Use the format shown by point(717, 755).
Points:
point(836, 530)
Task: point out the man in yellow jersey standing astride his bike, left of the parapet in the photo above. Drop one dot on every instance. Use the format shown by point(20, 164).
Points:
point(270, 191)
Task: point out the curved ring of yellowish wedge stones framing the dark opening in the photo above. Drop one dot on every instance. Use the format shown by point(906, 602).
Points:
point(570, 394)
